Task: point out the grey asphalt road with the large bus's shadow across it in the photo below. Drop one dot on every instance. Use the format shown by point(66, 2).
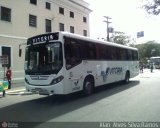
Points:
point(137, 101)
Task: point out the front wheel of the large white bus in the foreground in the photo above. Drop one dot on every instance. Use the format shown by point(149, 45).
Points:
point(88, 86)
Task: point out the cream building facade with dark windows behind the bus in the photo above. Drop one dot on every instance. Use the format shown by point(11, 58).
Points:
point(21, 19)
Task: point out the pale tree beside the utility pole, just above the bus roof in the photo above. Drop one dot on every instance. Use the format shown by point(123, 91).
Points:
point(120, 38)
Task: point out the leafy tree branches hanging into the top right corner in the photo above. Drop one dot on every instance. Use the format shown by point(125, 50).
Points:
point(152, 6)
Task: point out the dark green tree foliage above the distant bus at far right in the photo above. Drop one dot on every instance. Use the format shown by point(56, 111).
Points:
point(148, 49)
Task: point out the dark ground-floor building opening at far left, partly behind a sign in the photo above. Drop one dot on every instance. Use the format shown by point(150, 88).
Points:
point(6, 51)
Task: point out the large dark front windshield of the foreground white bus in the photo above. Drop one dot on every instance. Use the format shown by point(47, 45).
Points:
point(43, 59)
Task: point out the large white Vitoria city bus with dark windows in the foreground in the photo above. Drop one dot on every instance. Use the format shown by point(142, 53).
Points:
point(63, 63)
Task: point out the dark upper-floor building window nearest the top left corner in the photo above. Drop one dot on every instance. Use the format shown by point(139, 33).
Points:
point(6, 14)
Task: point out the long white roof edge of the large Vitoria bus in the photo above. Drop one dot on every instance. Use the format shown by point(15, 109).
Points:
point(67, 34)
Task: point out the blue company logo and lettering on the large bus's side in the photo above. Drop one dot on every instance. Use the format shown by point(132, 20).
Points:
point(110, 71)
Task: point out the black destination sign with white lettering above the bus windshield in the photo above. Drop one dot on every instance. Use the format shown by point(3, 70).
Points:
point(42, 38)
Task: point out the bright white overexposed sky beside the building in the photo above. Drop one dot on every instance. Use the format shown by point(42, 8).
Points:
point(127, 16)
